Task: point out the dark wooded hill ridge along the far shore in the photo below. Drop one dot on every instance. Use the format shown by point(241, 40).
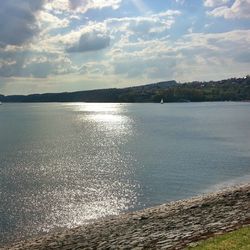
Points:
point(234, 89)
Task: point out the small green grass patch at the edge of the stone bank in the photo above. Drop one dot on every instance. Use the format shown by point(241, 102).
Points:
point(237, 240)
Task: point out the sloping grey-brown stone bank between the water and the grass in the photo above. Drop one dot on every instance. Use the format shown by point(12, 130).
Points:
point(169, 226)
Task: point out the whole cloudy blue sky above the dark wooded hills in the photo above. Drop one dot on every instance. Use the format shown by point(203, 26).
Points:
point(69, 45)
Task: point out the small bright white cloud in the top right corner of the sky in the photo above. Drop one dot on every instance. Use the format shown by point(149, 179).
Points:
point(240, 9)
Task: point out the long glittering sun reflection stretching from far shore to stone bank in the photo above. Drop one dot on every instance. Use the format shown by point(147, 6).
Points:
point(96, 180)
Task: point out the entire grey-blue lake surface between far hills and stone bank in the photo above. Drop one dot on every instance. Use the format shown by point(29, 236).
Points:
point(63, 165)
